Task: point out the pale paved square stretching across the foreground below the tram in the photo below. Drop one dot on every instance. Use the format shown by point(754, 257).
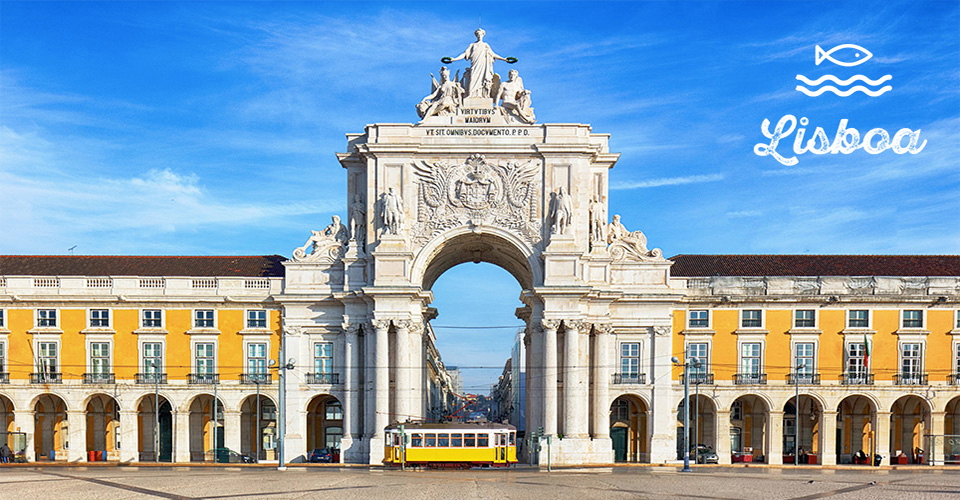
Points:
point(227, 483)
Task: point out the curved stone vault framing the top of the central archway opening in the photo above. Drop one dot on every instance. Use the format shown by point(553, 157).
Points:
point(477, 244)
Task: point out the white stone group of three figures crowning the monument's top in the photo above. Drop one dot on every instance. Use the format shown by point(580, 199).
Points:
point(478, 81)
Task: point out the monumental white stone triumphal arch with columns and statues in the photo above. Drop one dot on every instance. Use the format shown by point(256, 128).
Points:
point(478, 179)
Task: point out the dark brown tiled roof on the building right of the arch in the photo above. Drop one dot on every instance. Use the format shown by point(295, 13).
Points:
point(815, 265)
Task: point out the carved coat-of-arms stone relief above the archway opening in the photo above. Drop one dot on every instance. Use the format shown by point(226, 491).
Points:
point(477, 192)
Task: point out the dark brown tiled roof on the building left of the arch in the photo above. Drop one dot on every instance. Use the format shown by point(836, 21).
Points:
point(87, 265)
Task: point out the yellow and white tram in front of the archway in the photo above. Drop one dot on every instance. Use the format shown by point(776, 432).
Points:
point(451, 445)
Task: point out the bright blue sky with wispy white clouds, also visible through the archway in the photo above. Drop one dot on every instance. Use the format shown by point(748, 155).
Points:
point(210, 128)
